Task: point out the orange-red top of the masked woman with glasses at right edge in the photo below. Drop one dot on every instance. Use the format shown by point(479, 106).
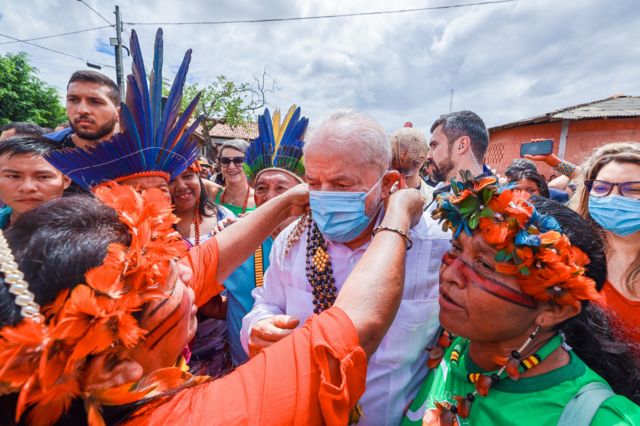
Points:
point(625, 312)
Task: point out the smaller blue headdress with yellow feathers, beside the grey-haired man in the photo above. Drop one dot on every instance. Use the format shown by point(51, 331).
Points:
point(278, 145)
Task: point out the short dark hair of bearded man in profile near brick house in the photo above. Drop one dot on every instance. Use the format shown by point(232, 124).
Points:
point(465, 123)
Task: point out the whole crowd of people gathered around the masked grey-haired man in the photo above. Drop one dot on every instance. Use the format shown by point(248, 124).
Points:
point(327, 275)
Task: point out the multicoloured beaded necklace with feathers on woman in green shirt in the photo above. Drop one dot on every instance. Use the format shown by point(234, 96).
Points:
point(450, 414)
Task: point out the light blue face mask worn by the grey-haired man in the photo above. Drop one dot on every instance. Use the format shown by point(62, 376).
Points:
point(340, 216)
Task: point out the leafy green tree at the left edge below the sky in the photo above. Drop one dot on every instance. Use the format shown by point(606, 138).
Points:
point(24, 97)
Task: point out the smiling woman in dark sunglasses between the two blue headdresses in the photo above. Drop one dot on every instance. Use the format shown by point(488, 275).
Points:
point(237, 195)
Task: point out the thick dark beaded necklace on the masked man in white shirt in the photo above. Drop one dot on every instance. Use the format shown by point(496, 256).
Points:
point(319, 270)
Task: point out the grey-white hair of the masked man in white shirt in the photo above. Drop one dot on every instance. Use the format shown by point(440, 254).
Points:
point(351, 126)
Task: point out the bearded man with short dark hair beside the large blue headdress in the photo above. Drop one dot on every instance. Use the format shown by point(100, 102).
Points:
point(93, 108)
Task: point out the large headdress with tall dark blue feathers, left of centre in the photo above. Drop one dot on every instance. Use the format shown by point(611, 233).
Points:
point(153, 140)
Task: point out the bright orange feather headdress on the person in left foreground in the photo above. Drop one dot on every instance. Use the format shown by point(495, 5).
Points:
point(44, 357)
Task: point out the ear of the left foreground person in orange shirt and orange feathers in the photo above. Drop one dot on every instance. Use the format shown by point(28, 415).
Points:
point(104, 372)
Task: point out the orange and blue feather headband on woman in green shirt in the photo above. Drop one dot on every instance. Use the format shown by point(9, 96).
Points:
point(530, 245)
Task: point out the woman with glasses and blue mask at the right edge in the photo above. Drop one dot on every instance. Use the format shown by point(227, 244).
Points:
point(610, 197)
